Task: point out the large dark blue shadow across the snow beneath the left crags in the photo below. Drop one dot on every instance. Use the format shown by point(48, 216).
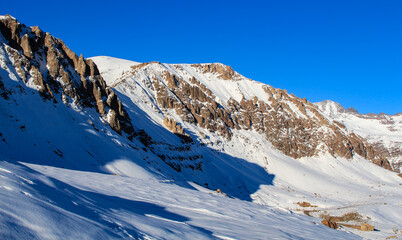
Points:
point(76, 144)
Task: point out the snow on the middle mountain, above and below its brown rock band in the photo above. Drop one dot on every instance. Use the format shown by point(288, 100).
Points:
point(335, 186)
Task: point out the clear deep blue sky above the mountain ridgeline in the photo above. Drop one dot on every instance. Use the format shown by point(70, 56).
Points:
point(347, 51)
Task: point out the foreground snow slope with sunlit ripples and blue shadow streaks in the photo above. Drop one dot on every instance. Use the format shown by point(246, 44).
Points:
point(41, 202)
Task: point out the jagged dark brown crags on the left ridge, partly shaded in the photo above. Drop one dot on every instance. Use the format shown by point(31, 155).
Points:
point(59, 74)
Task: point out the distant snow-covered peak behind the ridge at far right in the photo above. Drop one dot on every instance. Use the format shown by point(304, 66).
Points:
point(383, 131)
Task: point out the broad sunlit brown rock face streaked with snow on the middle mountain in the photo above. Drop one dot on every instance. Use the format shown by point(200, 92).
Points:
point(294, 126)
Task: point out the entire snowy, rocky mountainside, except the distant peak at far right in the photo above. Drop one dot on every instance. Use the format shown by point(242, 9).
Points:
point(107, 148)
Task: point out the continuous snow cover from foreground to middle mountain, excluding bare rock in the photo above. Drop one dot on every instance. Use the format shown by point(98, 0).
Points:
point(64, 174)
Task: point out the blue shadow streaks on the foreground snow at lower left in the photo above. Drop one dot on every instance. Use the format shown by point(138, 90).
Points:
point(95, 209)
